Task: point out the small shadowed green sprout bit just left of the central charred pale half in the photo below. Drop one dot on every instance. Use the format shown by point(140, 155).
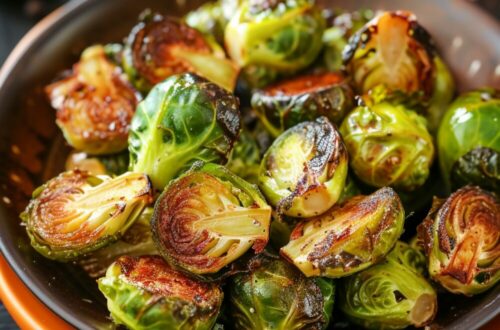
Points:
point(244, 160)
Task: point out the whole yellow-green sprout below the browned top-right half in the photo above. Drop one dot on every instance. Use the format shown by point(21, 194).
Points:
point(388, 145)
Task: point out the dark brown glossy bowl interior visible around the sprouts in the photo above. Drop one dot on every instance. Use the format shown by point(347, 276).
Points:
point(32, 150)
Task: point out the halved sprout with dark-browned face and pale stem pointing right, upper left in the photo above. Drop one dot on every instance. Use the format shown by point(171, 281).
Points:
point(161, 46)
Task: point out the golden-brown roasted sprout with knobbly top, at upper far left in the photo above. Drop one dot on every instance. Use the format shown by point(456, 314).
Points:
point(95, 104)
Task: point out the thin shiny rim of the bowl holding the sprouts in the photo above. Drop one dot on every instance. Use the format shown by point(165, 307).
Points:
point(61, 16)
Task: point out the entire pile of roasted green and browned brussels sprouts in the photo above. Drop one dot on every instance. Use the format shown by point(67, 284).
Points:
point(265, 175)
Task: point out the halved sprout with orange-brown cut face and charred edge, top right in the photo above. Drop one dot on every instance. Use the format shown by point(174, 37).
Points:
point(392, 50)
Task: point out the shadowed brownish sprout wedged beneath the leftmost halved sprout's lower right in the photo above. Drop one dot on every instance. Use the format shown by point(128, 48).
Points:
point(136, 241)
